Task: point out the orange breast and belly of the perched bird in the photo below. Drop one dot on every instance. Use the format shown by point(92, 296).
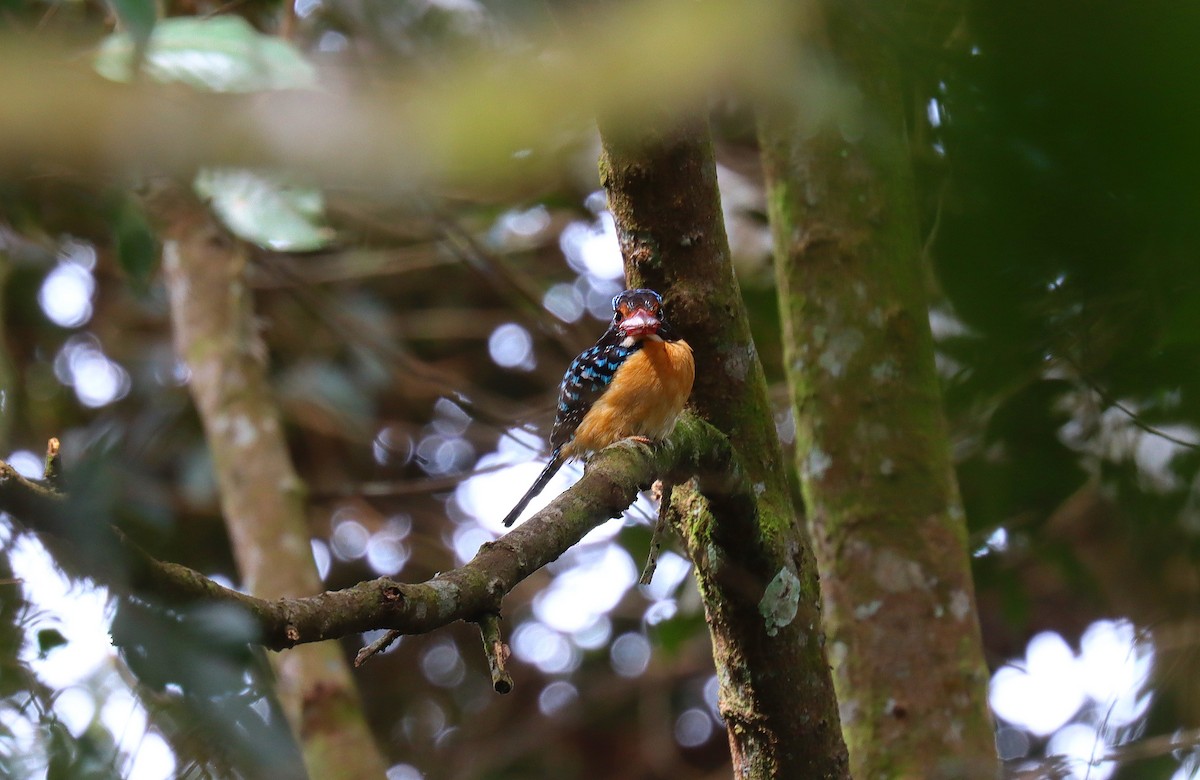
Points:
point(646, 397)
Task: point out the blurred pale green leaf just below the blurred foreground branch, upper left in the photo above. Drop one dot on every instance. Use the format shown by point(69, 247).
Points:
point(266, 211)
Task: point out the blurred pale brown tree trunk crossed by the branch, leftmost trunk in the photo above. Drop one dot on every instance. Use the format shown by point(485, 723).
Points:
point(262, 499)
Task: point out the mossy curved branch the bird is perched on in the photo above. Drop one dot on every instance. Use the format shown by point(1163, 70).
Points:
point(476, 590)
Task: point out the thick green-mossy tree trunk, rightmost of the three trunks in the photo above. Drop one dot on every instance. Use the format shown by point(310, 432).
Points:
point(873, 447)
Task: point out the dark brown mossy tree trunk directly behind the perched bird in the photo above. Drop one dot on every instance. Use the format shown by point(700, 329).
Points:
point(754, 567)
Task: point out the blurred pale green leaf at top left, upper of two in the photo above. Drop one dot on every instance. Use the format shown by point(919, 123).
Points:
point(220, 55)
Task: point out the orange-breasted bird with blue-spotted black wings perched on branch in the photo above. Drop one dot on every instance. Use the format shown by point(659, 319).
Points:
point(632, 385)
